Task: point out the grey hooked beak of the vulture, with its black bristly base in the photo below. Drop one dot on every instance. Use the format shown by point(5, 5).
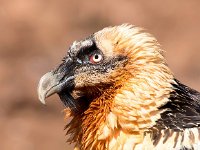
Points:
point(56, 81)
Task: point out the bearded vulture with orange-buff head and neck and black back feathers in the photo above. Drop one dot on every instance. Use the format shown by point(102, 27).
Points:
point(122, 95)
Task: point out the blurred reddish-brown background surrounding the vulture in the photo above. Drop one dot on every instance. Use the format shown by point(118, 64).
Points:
point(35, 34)
